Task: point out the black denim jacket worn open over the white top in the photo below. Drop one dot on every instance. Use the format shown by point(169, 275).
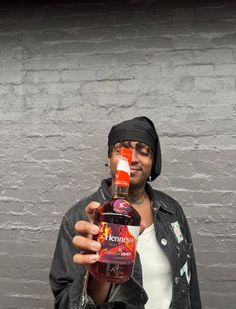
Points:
point(69, 281)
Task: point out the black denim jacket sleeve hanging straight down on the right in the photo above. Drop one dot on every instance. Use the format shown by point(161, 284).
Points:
point(195, 297)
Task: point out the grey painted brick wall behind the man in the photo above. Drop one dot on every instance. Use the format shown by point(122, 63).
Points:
point(68, 71)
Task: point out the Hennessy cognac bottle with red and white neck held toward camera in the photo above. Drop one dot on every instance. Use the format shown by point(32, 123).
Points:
point(119, 226)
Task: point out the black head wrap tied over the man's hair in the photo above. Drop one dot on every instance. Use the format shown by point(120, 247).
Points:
point(139, 129)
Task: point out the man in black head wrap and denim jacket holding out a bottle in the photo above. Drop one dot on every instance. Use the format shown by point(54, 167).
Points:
point(165, 273)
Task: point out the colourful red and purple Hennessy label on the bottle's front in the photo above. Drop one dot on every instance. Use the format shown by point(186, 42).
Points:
point(118, 243)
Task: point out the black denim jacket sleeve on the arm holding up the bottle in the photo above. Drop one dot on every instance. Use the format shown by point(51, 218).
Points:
point(67, 280)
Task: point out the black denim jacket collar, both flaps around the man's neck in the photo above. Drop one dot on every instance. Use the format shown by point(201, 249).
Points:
point(159, 202)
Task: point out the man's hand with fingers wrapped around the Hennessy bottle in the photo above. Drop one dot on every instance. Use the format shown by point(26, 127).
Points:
point(84, 241)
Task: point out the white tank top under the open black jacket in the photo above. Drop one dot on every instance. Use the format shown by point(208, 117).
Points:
point(157, 277)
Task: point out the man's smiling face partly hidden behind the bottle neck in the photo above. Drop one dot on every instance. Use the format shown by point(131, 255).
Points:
point(141, 164)
